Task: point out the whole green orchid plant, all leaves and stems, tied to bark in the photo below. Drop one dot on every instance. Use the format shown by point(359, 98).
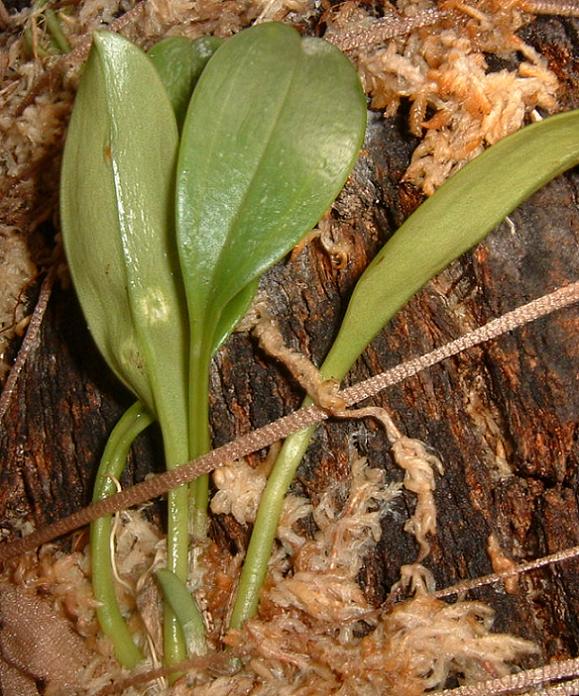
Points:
point(186, 174)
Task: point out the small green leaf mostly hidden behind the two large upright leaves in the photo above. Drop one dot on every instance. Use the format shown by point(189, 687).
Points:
point(180, 62)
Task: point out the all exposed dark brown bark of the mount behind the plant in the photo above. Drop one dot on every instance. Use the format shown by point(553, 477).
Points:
point(502, 417)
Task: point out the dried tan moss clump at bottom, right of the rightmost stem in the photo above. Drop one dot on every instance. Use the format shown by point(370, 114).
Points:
point(317, 634)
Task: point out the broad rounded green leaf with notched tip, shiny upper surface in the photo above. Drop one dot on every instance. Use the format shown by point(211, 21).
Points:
point(271, 134)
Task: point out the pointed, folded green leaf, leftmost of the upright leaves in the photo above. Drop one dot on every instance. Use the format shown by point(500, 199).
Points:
point(117, 218)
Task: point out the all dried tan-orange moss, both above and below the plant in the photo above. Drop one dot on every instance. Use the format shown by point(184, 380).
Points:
point(316, 632)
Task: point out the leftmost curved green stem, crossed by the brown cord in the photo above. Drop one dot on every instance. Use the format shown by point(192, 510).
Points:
point(112, 464)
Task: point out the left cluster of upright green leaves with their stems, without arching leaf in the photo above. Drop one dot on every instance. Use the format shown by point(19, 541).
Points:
point(271, 133)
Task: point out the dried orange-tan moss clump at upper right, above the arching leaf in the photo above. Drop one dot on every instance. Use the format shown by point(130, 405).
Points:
point(458, 107)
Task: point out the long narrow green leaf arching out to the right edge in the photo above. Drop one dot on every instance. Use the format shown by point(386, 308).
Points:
point(458, 216)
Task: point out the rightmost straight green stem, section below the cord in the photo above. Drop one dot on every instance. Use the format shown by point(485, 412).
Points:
point(264, 529)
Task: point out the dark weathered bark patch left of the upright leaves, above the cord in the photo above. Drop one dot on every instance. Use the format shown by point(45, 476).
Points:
point(53, 434)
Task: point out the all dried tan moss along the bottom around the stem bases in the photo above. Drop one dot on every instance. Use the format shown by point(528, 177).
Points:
point(316, 632)
